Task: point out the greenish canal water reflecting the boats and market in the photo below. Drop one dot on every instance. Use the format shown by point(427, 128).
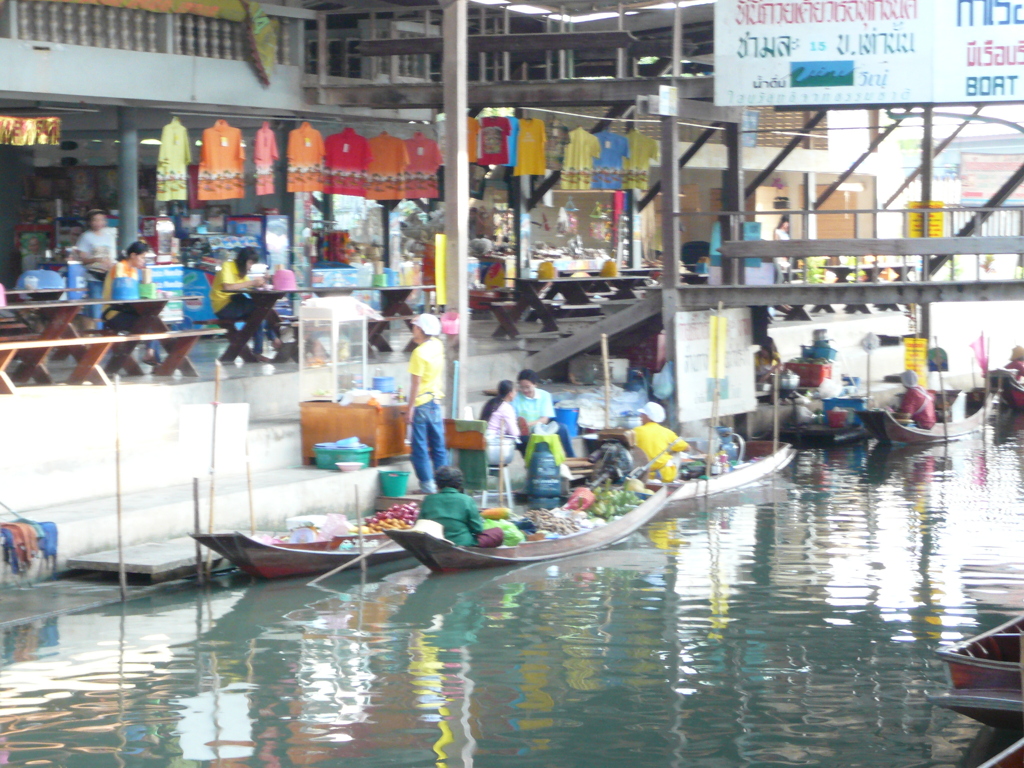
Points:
point(792, 624)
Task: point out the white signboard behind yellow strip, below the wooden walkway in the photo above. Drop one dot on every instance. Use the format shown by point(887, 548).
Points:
point(696, 389)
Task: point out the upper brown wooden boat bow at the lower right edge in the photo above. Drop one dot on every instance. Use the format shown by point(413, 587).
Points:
point(990, 661)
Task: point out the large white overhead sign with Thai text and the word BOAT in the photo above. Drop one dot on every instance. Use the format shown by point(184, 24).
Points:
point(820, 53)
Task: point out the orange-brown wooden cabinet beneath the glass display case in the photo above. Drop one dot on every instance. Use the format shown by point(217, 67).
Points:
point(383, 429)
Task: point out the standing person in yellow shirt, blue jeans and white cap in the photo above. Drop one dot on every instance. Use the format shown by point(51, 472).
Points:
point(426, 391)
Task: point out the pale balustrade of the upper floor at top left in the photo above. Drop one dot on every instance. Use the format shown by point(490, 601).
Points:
point(135, 30)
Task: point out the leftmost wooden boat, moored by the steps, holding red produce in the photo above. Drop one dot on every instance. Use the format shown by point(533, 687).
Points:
point(283, 561)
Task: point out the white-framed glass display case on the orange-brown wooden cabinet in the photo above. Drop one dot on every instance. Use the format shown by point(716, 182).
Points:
point(332, 354)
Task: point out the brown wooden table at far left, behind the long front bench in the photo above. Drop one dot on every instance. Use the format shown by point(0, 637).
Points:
point(59, 316)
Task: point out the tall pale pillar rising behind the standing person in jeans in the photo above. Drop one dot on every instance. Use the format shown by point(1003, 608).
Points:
point(457, 181)
